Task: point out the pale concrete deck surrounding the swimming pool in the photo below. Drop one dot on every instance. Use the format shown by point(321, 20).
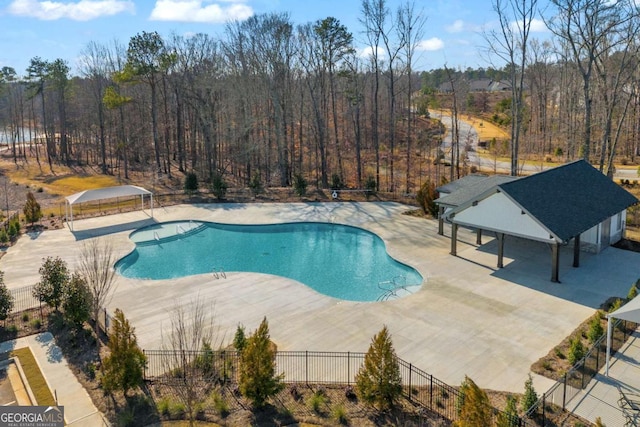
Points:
point(469, 318)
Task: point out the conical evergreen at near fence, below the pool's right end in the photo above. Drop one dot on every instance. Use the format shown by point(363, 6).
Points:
point(378, 382)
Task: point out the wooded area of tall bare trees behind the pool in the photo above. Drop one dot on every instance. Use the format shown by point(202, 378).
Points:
point(271, 100)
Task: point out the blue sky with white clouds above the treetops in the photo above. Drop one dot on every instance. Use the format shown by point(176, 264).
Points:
point(52, 29)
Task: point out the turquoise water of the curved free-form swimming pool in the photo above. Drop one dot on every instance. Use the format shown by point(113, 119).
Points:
point(337, 260)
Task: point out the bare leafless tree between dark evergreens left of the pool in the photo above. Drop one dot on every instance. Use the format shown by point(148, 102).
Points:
point(96, 267)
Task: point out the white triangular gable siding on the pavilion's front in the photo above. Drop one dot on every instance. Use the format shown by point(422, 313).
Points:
point(498, 213)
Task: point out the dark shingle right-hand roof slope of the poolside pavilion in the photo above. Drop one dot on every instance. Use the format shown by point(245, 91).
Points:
point(570, 199)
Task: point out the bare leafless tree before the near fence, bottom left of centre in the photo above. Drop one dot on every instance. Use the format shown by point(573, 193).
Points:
point(188, 352)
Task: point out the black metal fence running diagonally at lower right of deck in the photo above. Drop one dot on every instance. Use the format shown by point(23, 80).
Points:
point(580, 374)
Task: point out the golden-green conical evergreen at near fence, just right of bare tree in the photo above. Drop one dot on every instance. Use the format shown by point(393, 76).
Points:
point(258, 380)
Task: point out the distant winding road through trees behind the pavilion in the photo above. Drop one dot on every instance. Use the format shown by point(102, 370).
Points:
point(469, 137)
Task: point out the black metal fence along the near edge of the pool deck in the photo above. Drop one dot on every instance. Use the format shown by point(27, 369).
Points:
point(307, 367)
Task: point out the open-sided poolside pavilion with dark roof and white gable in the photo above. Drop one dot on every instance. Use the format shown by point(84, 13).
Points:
point(570, 204)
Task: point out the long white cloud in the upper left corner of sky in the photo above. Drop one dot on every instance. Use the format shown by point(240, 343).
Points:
point(83, 10)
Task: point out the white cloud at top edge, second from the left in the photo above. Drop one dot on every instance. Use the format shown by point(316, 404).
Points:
point(197, 11)
